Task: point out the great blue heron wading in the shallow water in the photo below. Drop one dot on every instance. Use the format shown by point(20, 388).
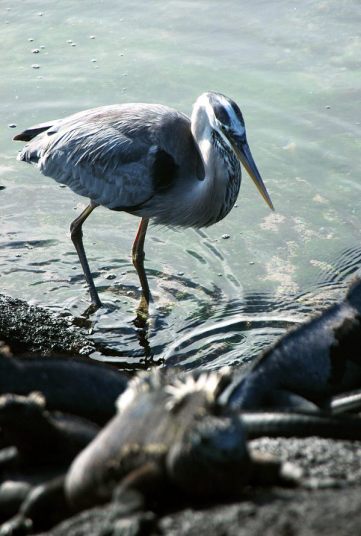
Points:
point(149, 160)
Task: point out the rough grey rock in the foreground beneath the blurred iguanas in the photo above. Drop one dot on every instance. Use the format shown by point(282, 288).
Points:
point(328, 503)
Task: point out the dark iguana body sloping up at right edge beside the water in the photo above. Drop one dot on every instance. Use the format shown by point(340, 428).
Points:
point(312, 362)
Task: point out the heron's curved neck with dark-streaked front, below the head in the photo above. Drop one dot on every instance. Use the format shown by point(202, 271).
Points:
point(217, 193)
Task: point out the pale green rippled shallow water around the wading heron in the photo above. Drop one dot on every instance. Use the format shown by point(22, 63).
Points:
point(294, 69)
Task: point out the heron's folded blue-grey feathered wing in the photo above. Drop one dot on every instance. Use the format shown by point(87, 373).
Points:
point(106, 154)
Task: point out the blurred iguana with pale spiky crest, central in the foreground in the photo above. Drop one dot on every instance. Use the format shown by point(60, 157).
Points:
point(169, 437)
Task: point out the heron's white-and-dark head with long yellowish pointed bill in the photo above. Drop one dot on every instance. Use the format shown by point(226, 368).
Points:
point(225, 117)
